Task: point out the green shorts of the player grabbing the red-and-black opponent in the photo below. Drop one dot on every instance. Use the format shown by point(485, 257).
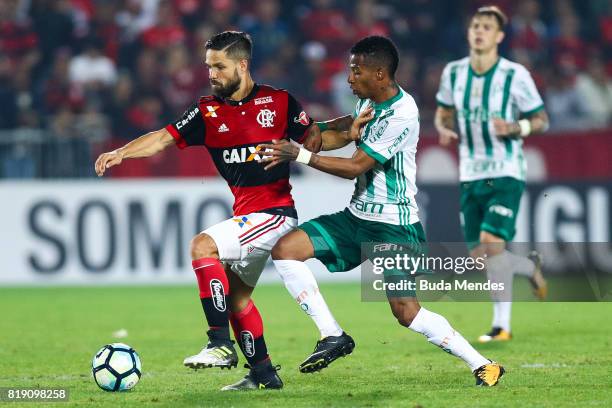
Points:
point(337, 240)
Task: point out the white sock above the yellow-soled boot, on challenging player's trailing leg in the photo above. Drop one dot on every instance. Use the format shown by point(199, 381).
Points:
point(439, 332)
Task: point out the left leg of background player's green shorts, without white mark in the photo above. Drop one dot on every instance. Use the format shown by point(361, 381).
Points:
point(472, 202)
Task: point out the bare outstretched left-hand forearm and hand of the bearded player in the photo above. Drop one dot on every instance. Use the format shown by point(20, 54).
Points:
point(143, 146)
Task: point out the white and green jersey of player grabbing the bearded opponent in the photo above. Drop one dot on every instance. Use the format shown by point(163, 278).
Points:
point(385, 193)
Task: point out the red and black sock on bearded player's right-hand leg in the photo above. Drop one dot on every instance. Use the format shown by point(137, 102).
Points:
point(248, 329)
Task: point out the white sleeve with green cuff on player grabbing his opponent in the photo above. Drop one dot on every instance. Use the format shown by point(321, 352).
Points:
point(389, 136)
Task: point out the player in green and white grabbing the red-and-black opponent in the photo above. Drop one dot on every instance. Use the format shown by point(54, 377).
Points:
point(382, 209)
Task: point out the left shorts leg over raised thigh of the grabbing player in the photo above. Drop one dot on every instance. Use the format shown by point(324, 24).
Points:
point(333, 240)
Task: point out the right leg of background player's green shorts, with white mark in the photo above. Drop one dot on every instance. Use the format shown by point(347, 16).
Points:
point(502, 207)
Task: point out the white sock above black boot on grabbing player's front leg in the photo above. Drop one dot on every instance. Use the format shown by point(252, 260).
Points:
point(302, 285)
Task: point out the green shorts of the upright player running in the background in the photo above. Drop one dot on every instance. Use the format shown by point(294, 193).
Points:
point(490, 205)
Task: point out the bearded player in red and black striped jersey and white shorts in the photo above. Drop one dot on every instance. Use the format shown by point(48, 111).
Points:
point(228, 257)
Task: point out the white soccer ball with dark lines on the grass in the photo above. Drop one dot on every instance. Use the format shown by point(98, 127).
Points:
point(116, 367)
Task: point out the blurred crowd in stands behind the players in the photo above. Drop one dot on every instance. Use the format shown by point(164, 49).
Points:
point(89, 71)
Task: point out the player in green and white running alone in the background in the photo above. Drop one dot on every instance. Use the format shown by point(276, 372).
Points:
point(496, 105)
